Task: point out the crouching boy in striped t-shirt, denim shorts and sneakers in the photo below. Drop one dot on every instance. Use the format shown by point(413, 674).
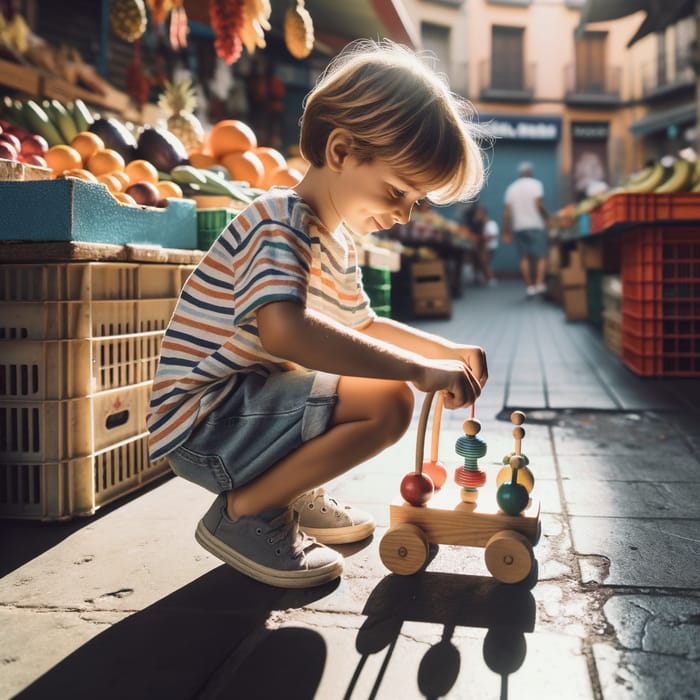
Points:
point(275, 376)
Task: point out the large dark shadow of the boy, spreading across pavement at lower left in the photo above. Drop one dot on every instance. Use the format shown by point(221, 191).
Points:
point(206, 640)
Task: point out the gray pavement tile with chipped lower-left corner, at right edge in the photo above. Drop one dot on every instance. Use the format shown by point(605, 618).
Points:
point(637, 552)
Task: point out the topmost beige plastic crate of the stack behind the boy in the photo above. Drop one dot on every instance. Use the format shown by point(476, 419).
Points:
point(90, 281)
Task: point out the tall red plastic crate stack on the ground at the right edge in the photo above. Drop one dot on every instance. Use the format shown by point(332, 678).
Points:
point(661, 300)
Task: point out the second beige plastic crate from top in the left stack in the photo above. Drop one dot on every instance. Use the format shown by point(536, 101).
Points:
point(56, 320)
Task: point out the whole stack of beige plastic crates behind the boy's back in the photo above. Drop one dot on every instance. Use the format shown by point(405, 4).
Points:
point(79, 347)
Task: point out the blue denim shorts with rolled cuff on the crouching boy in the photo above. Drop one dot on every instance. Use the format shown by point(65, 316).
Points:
point(260, 423)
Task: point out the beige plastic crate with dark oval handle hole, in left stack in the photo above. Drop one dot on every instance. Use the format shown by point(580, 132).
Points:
point(55, 431)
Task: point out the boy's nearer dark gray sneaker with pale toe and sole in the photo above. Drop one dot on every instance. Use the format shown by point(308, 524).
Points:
point(268, 547)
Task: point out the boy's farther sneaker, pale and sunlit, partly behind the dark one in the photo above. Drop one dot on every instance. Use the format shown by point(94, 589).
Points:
point(330, 522)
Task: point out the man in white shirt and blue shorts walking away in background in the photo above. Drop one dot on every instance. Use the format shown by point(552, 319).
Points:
point(524, 221)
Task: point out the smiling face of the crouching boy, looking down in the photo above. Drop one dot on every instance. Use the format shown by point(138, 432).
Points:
point(372, 196)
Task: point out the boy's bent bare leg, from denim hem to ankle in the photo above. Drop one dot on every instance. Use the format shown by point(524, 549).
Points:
point(370, 415)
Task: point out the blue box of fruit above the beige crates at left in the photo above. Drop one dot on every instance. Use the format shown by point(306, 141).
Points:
point(73, 210)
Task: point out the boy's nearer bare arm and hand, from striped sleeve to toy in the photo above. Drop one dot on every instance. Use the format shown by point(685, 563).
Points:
point(289, 330)
